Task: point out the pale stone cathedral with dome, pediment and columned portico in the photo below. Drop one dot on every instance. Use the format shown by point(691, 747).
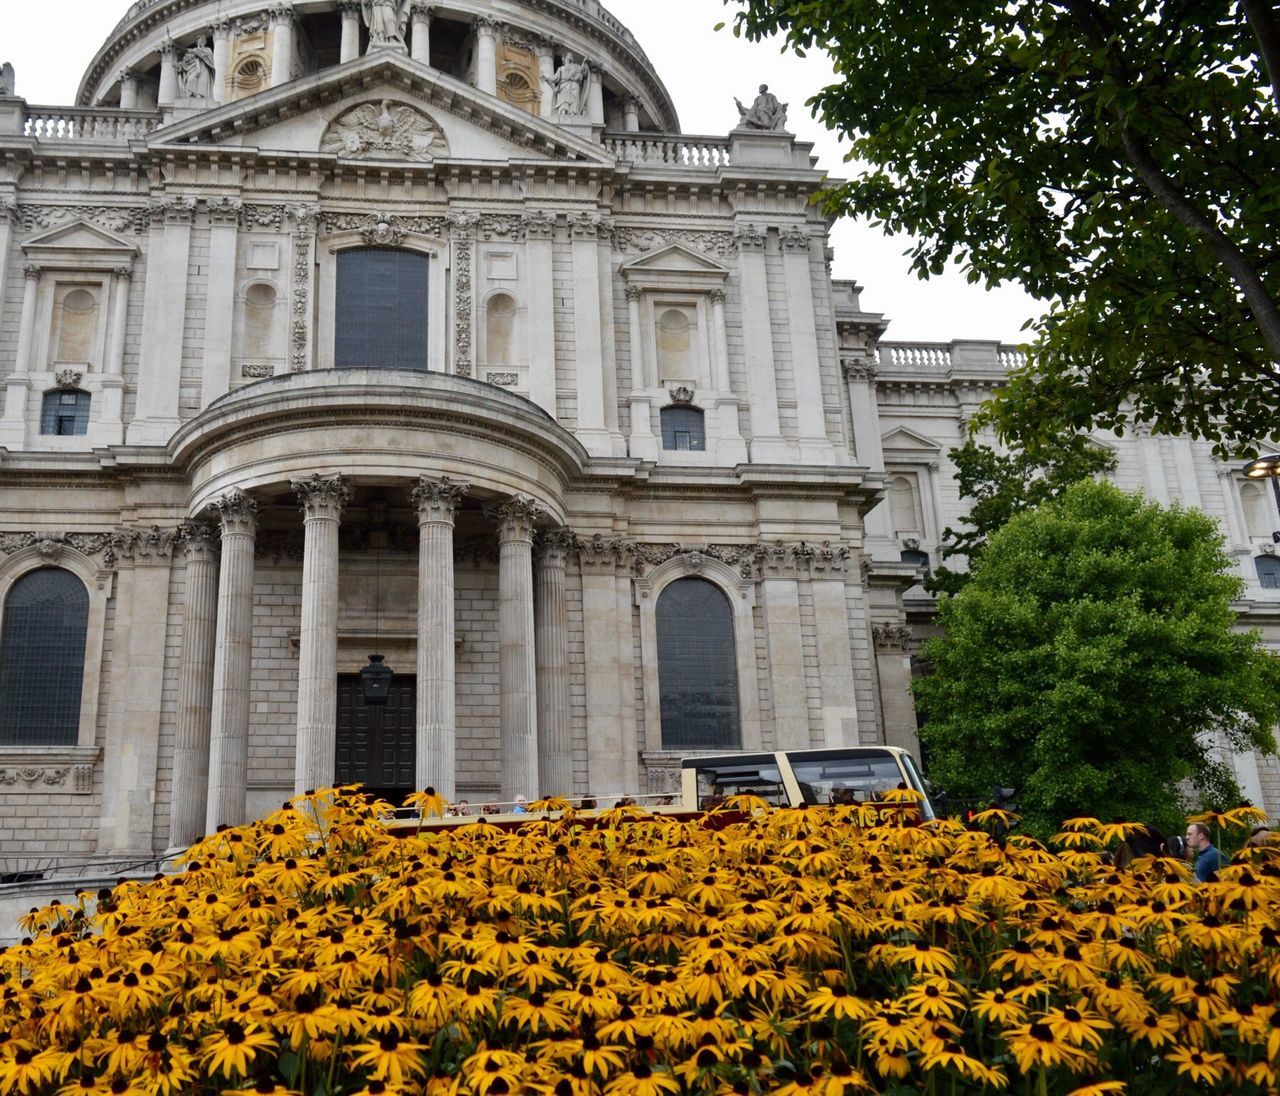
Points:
point(333, 330)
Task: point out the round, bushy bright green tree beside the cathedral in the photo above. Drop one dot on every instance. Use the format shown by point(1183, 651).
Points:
point(1089, 661)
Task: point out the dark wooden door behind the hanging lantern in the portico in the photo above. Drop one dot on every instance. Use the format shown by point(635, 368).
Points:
point(377, 746)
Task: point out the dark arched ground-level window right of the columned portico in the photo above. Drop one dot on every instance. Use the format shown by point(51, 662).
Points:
point(698, 668)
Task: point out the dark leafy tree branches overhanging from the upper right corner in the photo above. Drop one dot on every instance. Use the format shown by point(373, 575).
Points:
point(1117, 159)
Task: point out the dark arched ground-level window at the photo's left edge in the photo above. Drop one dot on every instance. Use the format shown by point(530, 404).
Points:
point(43, 660)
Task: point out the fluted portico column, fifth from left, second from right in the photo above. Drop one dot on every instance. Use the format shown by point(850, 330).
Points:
point(515, 520)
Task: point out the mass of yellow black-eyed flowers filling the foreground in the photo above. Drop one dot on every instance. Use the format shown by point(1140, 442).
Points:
point(793, 952)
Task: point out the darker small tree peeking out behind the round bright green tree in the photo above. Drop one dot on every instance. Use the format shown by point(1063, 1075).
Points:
point(1007, 483)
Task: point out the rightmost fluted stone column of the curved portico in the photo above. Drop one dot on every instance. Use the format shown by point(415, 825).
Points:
point(555, 730)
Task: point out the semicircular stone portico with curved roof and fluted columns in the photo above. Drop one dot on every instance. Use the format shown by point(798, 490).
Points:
point(426, 440)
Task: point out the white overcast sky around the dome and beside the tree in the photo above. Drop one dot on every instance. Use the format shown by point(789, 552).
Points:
point(52, 43)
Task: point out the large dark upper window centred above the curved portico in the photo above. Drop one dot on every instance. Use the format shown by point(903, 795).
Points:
point(382, 309)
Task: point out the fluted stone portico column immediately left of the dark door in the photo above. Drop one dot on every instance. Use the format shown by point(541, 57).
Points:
point(323, 500)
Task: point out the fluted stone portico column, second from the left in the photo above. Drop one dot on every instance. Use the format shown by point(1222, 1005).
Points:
point(234, 660)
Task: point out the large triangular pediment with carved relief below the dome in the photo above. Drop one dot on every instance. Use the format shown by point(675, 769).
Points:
point(412, 112)
